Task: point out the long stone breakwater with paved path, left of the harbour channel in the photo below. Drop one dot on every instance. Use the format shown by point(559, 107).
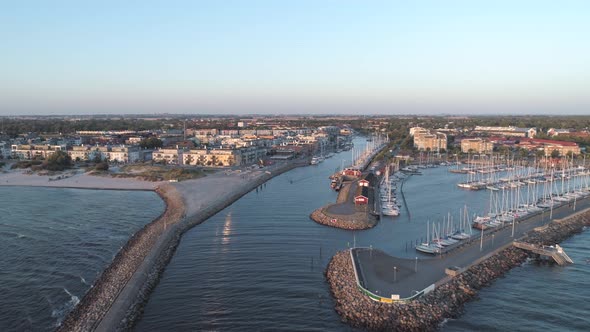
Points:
point(116, 299)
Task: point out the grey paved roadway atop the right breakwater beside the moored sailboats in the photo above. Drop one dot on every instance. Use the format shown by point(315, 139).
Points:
point(380, 277)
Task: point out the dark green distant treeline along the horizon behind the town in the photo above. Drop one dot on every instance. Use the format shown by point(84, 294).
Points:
point(396, 126)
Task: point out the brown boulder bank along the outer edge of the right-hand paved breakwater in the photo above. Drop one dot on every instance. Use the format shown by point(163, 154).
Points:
point(447, 300)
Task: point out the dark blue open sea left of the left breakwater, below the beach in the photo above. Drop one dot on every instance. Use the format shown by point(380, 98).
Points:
point(55, 243)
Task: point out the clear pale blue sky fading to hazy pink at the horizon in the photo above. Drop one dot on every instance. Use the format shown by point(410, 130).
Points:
point(287, 57)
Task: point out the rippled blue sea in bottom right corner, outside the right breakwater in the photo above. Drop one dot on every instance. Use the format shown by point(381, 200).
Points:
point(535, 296)
